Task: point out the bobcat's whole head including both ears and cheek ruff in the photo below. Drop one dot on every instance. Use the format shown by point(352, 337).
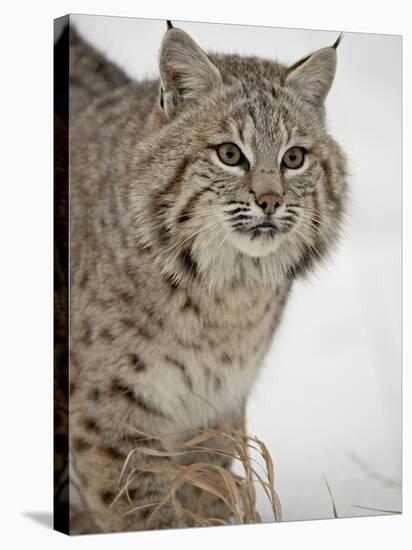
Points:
point(244, 167)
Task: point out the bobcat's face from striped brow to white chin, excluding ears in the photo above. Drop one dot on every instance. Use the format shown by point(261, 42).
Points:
point(260, 179)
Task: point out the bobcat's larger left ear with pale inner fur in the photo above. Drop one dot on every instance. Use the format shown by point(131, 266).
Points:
point(186, 73)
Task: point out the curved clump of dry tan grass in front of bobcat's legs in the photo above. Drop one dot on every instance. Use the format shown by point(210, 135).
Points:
point(236, 492)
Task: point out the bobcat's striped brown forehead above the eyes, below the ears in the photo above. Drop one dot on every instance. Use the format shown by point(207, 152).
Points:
point(264, 123)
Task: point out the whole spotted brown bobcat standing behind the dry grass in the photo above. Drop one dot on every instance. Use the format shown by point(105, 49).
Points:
point(195, 202)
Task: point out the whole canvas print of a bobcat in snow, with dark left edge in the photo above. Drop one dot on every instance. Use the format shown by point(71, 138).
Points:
point(227, 274)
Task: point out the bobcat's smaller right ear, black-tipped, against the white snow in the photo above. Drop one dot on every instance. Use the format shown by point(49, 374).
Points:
point(312, 76)
